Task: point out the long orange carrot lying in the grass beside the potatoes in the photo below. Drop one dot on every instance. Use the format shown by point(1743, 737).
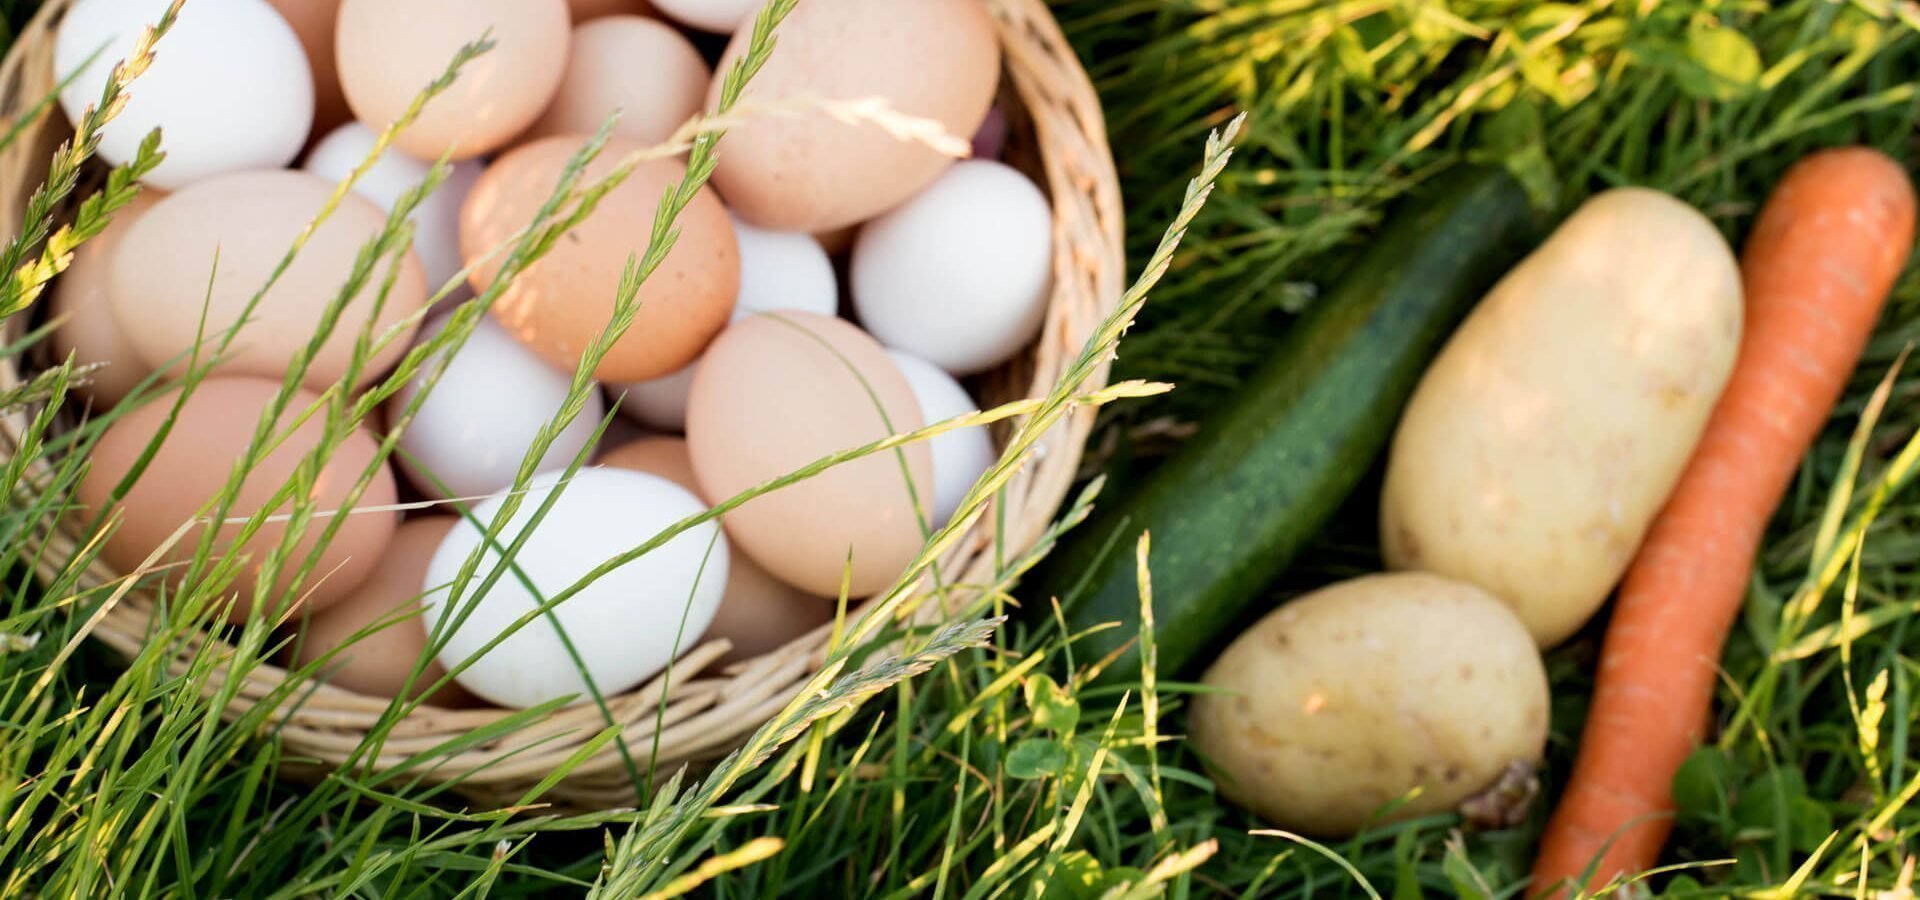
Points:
point(1817, 270)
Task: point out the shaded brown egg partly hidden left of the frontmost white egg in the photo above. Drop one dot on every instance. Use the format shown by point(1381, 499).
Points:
point(381, 661)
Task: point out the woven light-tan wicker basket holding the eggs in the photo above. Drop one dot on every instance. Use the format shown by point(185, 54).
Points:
point(1057, 137)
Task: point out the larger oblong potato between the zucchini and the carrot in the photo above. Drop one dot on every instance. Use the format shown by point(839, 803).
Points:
point(1550, 431)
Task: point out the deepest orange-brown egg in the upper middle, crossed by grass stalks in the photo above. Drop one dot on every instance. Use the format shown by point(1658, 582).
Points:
point(565, 300)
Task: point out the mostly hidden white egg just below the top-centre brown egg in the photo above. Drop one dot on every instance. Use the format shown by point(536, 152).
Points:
point(437, 222)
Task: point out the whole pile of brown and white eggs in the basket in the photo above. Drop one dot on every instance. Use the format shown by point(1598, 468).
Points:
point(832, 287)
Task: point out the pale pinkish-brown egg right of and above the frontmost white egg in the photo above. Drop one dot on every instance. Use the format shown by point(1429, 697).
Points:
point(782, 391)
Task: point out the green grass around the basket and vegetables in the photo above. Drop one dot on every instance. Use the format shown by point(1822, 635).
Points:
point(978, 765)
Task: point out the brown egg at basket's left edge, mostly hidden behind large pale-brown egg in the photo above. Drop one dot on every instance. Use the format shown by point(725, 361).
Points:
point(89, 333)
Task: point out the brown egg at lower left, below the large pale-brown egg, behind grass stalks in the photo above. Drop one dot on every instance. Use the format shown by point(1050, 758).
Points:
point(193, 465)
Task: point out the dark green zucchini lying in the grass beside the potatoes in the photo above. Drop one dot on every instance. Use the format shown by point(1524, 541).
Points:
point(1260, 479)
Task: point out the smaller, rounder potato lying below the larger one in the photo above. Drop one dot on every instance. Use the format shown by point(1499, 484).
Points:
point(1360, 694)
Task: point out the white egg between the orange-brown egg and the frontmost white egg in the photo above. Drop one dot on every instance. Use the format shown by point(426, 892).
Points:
point(477, 425)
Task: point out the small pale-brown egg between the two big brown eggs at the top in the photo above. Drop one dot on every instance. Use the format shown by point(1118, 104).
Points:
point(640, 68)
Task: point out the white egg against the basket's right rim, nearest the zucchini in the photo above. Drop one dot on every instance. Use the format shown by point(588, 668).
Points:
point(959, 275)
